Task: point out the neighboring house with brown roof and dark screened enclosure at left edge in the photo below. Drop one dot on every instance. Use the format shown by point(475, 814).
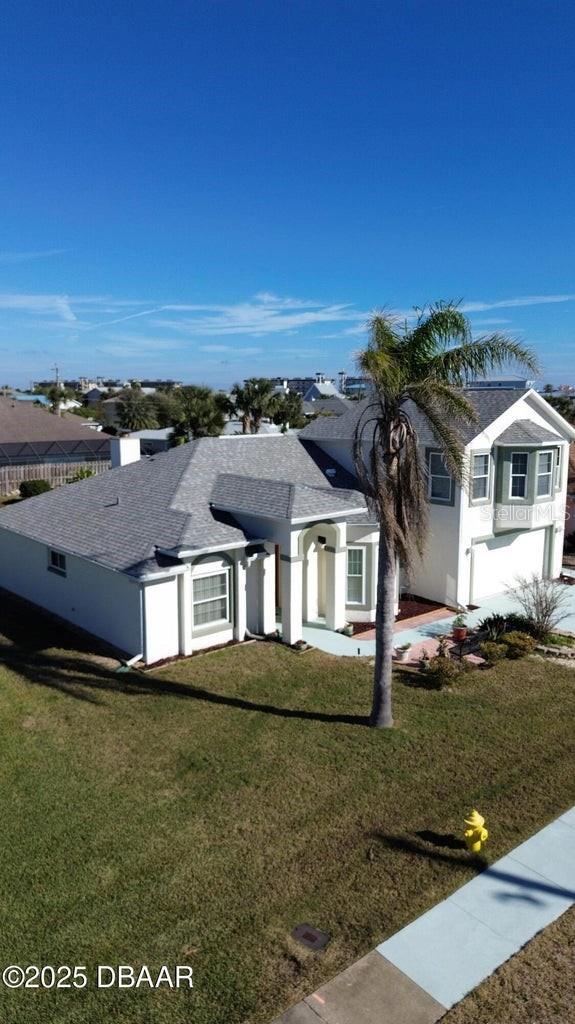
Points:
point(35, 443)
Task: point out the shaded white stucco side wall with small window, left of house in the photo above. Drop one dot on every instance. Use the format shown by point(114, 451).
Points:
point(99, 601)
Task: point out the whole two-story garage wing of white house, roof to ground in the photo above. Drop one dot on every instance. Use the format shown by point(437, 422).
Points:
point(510, 521)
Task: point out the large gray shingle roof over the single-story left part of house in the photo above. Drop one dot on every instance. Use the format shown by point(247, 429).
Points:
point(120, 518)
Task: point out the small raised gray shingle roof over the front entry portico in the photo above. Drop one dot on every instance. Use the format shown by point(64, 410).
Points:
point(281, 499)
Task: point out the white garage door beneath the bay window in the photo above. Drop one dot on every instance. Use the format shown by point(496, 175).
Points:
point(498, 563)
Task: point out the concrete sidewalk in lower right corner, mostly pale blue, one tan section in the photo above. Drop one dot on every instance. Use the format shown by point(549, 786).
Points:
point(428, 967)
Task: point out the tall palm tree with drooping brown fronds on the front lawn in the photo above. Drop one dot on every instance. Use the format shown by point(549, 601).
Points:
point(423, 369)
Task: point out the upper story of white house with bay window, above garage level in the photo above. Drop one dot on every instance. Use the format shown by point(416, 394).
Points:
point(516, 467)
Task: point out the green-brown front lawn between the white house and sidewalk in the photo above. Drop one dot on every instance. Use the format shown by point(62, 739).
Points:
point(196, 815)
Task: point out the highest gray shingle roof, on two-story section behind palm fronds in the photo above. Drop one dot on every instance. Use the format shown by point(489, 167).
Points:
point(489, 405)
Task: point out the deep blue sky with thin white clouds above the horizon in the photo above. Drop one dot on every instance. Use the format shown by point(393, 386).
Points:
point(212, 190)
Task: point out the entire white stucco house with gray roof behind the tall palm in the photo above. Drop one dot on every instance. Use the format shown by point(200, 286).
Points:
point(224, 537)
